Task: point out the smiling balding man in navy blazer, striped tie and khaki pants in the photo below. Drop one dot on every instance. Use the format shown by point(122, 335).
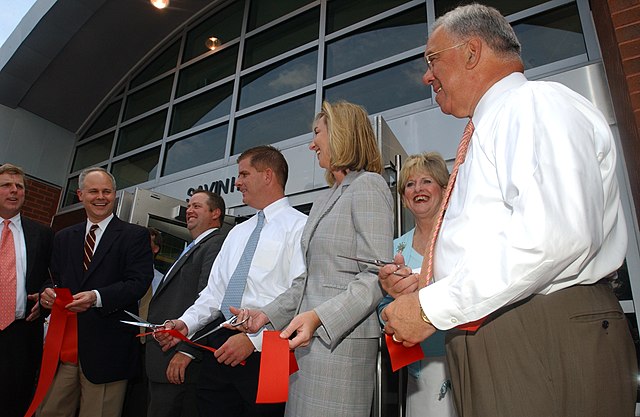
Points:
point(108, 266)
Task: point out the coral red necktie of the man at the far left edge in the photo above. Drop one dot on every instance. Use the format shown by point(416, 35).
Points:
point(8, 277)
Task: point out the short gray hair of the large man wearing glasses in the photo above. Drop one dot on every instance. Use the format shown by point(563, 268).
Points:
point(485, 22)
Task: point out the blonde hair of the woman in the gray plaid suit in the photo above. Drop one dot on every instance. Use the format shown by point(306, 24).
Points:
point(351, 139)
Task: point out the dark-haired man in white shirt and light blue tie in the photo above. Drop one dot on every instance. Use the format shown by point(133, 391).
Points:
point(225, 389)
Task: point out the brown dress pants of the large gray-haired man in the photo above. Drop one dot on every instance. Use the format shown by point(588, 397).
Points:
point(566, 354)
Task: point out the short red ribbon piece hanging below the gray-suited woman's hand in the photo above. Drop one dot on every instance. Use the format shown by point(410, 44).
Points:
point(276, 364)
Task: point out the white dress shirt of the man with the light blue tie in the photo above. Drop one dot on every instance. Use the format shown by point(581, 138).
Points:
point(277, 261)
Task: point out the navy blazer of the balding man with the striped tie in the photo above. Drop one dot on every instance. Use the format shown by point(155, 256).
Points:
point(121, 271)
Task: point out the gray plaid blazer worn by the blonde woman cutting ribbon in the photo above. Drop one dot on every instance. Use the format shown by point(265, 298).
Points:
point(354, 218)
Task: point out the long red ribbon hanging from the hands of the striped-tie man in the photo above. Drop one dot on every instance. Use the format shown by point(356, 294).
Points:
point(61, 344)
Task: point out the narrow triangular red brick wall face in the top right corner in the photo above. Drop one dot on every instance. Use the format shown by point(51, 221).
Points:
point(625, 16)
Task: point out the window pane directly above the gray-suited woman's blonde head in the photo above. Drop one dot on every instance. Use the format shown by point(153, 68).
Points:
point(391, 87)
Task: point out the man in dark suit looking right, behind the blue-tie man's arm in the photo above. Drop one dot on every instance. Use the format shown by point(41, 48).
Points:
point(172, 374)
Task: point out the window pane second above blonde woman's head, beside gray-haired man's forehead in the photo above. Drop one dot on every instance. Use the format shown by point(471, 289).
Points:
point(378, 41)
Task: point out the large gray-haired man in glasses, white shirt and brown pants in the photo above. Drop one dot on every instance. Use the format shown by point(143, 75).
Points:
point(532, 234)
